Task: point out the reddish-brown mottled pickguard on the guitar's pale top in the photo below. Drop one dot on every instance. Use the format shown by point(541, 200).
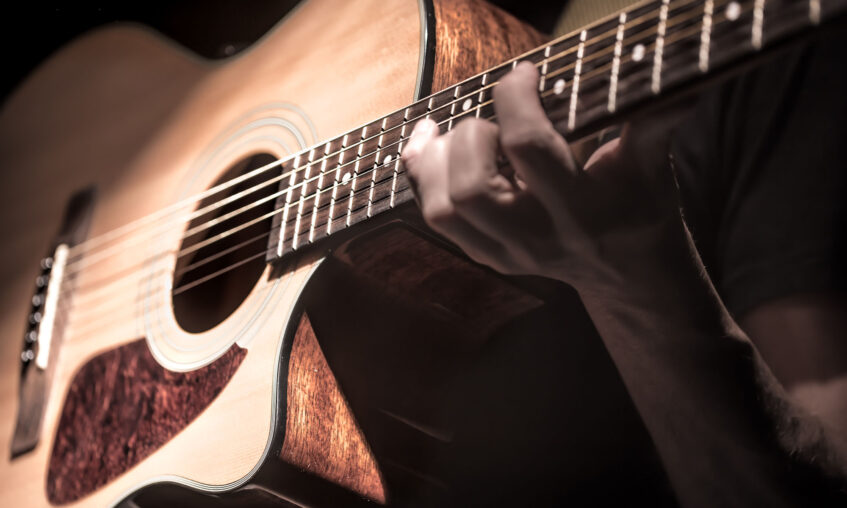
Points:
point(121, 407)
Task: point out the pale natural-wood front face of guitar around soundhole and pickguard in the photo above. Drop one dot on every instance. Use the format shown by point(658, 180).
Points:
point(141, 119)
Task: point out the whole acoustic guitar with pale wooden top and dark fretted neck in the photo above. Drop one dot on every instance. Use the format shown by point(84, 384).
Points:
point(216, 289)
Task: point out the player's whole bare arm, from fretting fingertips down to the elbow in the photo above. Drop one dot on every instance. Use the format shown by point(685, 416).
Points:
point(726, 431)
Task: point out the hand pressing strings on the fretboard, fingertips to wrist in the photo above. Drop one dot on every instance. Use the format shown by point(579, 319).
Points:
point(592, 228)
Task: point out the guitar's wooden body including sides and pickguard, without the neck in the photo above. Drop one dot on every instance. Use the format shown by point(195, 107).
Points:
point(236, 400)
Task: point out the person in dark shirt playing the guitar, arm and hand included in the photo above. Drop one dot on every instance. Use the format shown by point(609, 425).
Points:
point(742, 391)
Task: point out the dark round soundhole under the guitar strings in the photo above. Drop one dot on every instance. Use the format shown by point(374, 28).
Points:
point(211, 281)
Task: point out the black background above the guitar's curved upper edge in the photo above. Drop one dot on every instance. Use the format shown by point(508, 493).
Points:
point(211, 28)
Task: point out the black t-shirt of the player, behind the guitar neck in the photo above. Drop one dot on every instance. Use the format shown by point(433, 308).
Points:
point(761, 164)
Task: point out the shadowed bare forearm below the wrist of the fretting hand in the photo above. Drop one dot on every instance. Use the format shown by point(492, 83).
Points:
point(723, 426)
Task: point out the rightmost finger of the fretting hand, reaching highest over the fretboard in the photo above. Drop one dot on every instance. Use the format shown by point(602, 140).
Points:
point(537, 152)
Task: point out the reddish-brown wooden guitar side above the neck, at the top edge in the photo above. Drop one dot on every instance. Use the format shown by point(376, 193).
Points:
point(472, 36)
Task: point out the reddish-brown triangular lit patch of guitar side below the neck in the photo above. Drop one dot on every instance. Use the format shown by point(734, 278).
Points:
point(321, 434)
